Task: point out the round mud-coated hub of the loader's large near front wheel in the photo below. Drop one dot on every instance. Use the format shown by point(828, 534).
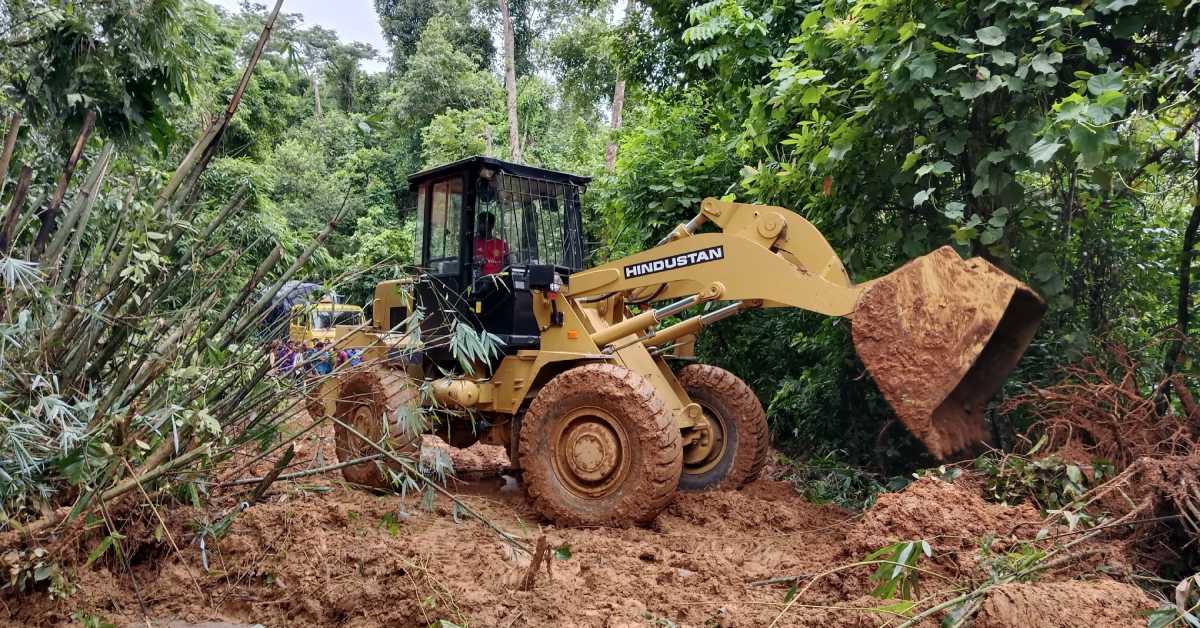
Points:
point(590, 453)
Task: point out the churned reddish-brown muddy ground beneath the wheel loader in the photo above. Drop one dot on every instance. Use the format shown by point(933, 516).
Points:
point(319, 553)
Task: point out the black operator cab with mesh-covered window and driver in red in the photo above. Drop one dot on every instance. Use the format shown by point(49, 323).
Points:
point(490, 232)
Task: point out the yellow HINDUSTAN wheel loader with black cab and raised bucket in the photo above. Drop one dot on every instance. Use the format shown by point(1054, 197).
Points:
point(583, 390)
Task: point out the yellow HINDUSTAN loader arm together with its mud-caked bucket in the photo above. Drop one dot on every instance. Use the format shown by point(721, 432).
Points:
point(939, 336)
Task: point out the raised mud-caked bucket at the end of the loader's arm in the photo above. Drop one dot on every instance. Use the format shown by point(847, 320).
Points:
point(940, 337)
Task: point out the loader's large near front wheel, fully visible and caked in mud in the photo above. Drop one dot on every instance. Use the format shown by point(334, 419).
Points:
point(599, 448)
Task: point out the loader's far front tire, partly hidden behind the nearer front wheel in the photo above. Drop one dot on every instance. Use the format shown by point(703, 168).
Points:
point(739, 452)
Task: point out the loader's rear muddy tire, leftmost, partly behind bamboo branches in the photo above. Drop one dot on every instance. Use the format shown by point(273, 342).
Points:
point(368, 402)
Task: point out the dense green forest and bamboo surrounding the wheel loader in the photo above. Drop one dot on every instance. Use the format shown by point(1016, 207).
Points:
point(1059, 141)
